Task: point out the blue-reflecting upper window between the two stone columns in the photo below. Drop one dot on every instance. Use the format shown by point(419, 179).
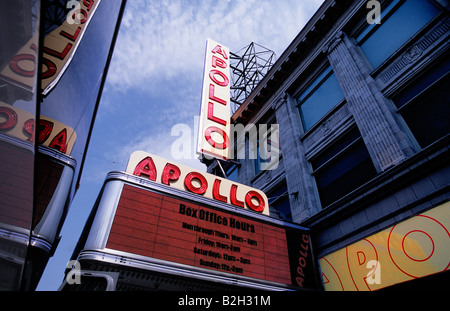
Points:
point(319, 98)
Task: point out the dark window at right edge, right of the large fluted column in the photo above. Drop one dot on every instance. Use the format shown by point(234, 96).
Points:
point(425, 105)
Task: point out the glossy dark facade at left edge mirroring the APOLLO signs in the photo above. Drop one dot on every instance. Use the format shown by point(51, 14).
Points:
point(53, 65)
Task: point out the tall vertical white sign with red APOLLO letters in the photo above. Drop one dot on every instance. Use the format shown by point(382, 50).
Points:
point(214, 129)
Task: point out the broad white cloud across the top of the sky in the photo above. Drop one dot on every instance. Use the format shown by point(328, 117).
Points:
point(163, 41)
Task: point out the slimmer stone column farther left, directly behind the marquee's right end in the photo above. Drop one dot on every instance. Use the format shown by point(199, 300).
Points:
point(301, 186)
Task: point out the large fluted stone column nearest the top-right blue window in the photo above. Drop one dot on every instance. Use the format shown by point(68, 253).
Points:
point(386, 142)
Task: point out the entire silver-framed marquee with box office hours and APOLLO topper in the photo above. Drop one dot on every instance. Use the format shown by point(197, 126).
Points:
point(166, 217)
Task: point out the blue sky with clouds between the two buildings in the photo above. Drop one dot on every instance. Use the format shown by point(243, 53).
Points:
point(155, 81)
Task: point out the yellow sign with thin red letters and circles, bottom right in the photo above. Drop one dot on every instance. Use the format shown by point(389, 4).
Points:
point(411, 249)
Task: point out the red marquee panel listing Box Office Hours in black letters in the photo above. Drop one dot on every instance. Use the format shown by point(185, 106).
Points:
point(163, 227)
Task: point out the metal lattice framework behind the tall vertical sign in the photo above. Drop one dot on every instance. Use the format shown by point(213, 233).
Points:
point(248, 68)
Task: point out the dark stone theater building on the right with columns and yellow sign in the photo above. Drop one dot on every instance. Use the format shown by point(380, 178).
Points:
point(362, 158)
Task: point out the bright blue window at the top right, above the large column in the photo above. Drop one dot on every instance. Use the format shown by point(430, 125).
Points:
point(378, 42)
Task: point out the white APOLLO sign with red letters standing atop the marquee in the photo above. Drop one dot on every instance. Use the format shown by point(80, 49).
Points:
point(184, 178)
